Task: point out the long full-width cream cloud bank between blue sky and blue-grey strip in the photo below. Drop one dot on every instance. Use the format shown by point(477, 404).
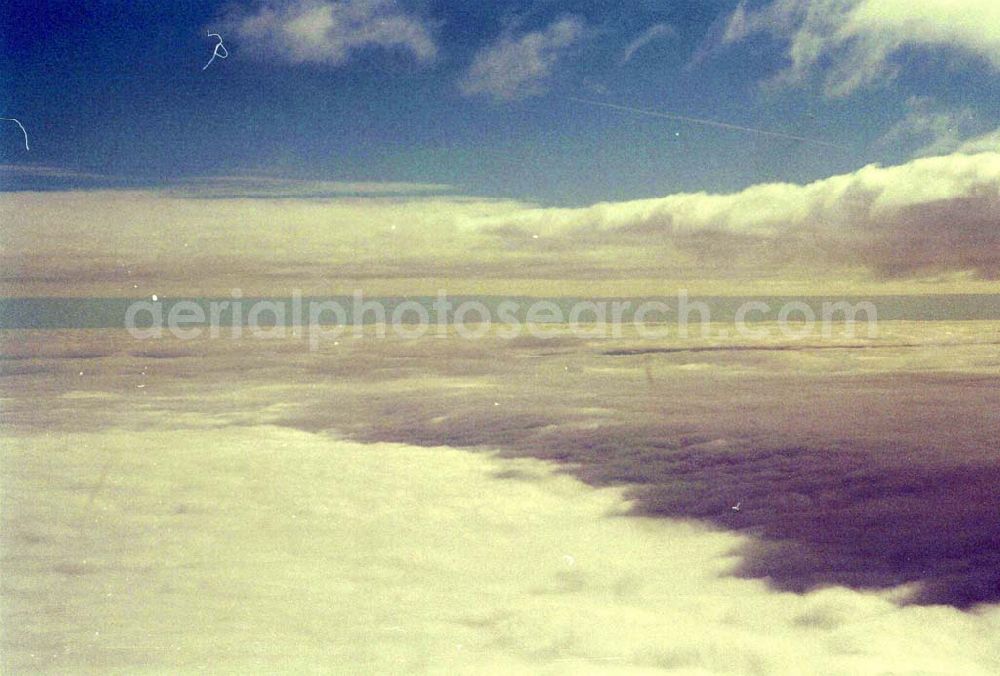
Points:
point(928, 217)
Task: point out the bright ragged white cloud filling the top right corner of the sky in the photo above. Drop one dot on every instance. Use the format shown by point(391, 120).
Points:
point(853, 42)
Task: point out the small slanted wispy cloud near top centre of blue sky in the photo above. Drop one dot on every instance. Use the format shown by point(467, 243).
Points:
point(516, 67)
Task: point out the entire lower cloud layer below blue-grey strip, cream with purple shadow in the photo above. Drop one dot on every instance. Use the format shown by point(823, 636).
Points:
point(224, 533)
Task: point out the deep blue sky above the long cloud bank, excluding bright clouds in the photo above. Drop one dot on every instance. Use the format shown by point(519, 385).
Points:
point(118, 89)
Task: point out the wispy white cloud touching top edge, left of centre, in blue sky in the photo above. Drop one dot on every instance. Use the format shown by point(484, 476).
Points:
point(330, 31)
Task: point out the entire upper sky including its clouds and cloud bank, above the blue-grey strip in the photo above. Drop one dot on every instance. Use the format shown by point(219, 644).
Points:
point(659, 136)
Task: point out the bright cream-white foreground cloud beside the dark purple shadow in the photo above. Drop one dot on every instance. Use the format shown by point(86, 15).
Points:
point(261, 548)
